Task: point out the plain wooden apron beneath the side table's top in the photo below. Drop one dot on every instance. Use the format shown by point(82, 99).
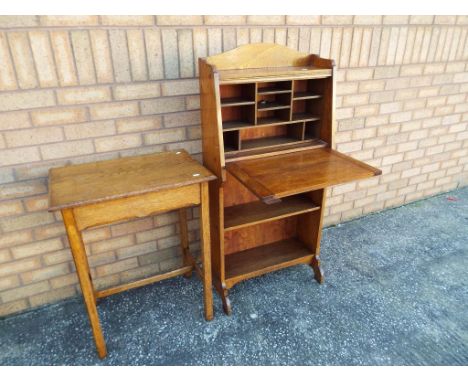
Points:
point(136, 206)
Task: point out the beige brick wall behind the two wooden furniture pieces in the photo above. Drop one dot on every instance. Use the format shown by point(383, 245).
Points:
point(86, 88)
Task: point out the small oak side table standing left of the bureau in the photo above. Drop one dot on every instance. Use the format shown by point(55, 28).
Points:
point(93, 194)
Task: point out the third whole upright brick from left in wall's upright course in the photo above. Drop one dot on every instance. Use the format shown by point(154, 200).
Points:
point(63, 54)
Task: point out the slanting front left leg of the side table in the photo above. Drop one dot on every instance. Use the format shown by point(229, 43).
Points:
point(84, 276)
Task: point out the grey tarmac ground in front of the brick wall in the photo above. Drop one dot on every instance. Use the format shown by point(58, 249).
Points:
point(395, 293)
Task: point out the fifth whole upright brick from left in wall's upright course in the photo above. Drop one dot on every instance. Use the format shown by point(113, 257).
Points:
point(102, 56)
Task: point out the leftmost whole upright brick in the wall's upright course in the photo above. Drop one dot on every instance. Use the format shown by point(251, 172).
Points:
point(22, 59)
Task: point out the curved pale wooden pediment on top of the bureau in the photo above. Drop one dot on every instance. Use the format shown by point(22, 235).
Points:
point(252, 56)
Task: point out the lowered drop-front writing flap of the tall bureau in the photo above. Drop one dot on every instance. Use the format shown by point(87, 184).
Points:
point(274, 177)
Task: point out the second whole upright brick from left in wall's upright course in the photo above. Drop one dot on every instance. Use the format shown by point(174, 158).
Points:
point(43, 57)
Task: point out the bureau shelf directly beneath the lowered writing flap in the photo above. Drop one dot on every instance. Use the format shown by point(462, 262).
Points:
point(244, 215)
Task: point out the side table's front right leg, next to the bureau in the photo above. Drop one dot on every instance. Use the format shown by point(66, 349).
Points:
point(206, 250)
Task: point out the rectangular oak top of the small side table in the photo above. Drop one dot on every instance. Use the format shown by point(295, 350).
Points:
point(90, 183)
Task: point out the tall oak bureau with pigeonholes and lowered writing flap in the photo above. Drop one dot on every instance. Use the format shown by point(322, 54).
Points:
point(276, 159)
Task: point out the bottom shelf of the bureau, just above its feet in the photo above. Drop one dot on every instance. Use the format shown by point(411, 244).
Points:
point(264, 259)
